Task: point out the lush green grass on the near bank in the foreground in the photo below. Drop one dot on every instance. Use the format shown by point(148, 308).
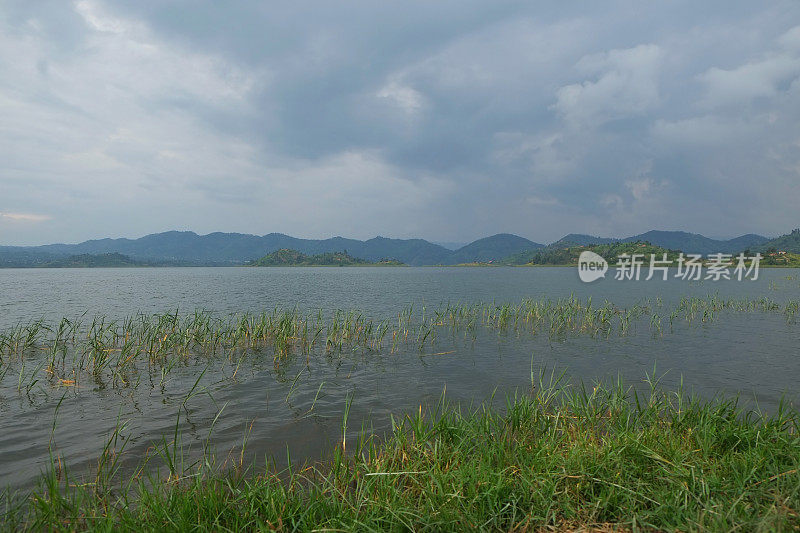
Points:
point(558, 458)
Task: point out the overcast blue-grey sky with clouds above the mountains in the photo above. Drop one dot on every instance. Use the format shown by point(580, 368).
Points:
point(448, 120)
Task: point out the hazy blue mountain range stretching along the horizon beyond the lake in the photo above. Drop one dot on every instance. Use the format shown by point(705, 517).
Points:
point(189, 248)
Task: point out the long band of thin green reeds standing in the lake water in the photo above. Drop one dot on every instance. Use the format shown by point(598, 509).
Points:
point(114, 351)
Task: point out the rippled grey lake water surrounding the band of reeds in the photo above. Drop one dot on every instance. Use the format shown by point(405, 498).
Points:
point(296, 407)
